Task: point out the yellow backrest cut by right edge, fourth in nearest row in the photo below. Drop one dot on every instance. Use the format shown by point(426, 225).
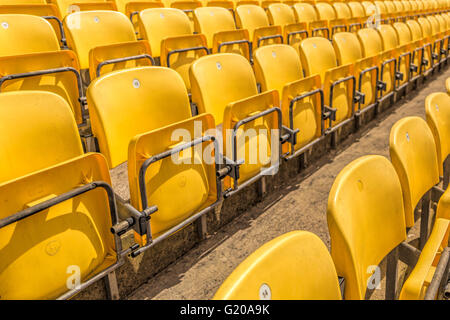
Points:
point(437, 109)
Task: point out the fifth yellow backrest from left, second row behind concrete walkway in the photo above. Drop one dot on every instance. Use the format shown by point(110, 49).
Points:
point(251, 17)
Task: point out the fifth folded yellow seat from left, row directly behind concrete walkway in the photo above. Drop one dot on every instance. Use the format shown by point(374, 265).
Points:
point(338, 82)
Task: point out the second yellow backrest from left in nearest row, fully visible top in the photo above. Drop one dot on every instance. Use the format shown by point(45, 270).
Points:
point(365, 219)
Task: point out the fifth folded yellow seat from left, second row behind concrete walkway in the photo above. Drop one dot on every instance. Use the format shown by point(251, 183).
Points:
point(254, 19)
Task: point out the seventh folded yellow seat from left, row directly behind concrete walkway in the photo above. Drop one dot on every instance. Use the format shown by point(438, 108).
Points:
point(372, 45)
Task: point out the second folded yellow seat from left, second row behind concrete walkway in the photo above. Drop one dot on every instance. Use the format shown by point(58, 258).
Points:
point(104, 41)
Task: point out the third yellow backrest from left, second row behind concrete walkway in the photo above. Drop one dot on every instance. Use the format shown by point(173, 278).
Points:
point(159, 23)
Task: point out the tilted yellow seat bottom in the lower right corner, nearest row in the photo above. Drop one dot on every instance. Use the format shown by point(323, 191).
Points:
point(416, 285)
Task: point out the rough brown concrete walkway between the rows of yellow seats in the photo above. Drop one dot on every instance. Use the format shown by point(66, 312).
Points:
point(299, 204)
